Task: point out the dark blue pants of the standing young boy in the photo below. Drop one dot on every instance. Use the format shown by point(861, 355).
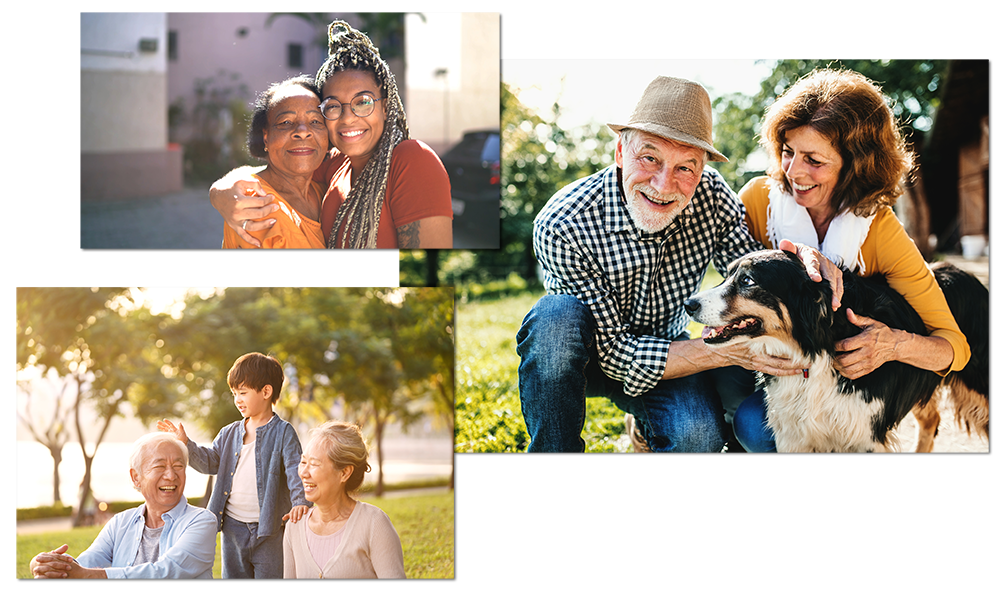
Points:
point(245, 555)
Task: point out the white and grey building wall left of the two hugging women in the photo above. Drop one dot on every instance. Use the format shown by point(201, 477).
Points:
point(124, 110)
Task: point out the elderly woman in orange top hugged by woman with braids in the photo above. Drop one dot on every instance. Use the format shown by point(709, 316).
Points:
point(289, 132)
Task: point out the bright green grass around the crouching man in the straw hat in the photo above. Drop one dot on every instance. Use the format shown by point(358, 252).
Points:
point(488, 410)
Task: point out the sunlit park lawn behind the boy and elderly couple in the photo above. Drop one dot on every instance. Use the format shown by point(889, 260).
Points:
point(425, 523)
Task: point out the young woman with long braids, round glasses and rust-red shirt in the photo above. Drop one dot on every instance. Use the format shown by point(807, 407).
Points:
point(385, 191)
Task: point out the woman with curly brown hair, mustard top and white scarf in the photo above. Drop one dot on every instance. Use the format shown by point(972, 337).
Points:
point(838, 163)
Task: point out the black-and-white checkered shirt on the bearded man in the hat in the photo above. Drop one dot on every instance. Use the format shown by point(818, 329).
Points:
point(635, 282)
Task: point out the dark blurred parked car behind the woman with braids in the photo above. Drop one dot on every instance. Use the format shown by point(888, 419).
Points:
point(474, 167)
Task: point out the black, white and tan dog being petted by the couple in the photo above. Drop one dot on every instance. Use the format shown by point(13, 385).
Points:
point(769, 299)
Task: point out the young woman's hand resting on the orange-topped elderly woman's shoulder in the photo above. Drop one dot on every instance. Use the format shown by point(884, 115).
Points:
point(241, 200)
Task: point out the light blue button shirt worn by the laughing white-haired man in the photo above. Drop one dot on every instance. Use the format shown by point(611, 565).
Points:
point(188, 545)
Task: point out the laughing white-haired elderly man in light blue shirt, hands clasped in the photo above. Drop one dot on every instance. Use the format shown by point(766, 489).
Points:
point(164, 538)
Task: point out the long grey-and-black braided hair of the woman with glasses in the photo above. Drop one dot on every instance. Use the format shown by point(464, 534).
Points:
point(350, 50)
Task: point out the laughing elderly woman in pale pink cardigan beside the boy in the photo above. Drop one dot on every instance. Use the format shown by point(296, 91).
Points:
point(340, 537)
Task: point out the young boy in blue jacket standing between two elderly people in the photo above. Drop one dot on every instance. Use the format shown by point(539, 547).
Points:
point(257, 460)
